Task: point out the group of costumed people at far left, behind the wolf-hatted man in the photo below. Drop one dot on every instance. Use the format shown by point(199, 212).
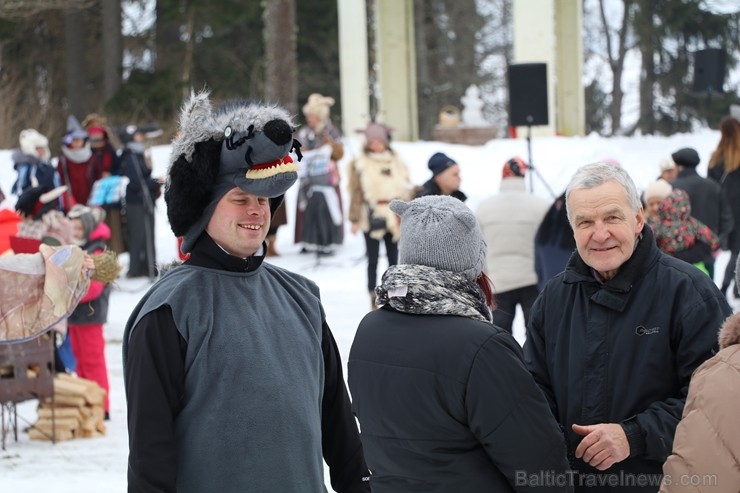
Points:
point(96, 197)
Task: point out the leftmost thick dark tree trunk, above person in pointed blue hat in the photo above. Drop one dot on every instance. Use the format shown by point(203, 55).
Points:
point(74, 63)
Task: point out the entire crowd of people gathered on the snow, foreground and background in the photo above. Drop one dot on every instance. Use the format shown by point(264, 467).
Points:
point(234, 380)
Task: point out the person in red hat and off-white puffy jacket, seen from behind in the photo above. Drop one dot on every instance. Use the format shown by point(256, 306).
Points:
point(509, 220)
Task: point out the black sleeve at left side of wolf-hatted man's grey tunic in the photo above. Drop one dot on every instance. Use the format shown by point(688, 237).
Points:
point(154, 390)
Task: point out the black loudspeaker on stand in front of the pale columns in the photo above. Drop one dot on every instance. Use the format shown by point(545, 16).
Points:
point(528, 94)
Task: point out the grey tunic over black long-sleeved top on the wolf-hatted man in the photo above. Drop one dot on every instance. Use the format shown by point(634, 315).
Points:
point(224, 402)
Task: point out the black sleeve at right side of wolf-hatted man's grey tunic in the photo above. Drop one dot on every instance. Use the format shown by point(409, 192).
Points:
point(340, 439)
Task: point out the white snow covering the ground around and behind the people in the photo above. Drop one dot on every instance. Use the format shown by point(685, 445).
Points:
point(99, 464)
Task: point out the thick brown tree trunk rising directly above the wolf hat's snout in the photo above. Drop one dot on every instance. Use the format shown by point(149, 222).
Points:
point(281, 76)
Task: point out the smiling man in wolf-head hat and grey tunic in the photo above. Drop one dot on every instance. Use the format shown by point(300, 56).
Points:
point(233, 377)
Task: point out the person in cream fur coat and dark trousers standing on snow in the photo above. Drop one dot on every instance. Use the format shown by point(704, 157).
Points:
point(377, 176)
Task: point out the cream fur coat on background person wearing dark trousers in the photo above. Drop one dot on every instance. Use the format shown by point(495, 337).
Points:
point(374, 180)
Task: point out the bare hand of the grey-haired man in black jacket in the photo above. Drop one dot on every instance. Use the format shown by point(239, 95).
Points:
point(603, 445)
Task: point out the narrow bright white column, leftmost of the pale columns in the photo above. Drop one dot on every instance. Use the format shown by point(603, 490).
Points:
point(353, 65)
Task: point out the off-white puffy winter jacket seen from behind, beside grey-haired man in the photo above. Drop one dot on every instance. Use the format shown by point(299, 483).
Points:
point(509, 221)
